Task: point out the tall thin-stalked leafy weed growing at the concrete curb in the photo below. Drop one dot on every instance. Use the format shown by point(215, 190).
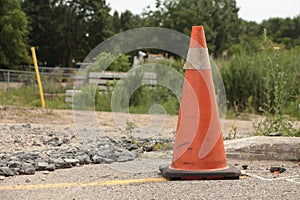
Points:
point(274, 96)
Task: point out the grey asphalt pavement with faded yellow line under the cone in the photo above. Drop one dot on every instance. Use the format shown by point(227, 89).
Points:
point(140, 179)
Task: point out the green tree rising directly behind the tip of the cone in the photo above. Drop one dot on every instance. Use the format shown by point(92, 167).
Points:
point(219, 18)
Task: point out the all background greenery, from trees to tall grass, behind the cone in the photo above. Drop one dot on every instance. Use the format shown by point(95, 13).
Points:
point(259, 62)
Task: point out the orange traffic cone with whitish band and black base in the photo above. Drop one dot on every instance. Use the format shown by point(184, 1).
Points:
point(198, 150)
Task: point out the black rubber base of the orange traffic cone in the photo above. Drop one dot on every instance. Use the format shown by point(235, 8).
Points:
point(173, 174)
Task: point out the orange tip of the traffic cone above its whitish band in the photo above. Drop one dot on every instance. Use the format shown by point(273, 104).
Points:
point(198, 37)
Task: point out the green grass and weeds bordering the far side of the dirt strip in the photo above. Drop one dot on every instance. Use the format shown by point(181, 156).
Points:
point(265, 83)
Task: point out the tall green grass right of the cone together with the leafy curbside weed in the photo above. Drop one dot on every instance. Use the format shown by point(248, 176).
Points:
point(265, 82)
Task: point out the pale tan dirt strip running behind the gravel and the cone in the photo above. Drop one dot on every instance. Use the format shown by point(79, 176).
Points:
point(147, 126)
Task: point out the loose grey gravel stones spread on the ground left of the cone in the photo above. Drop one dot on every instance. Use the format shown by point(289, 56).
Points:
point(50, 149)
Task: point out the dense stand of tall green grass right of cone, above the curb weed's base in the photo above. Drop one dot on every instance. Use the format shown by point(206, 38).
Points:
point(249, 80)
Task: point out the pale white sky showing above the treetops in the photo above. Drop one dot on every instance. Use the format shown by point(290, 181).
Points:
point(250, 10)
